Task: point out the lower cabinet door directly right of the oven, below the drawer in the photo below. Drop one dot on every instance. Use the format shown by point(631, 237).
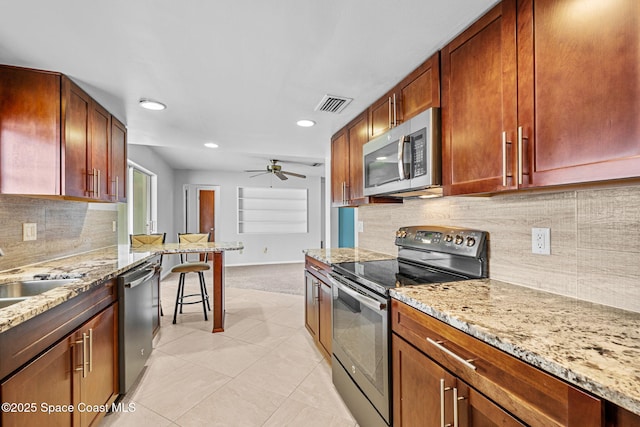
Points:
point(417, 395)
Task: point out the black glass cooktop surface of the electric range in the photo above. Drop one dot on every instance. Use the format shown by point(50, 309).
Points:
point(383, 275)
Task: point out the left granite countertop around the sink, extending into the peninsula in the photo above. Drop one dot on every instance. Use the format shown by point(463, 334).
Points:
point(91, 269)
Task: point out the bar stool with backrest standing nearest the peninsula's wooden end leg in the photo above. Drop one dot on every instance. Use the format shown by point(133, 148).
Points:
point(192, 267)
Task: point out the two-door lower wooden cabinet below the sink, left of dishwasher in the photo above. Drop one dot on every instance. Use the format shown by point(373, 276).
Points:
point(71, 383)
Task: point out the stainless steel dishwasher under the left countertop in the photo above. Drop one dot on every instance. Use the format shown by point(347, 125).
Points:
point(135, 316)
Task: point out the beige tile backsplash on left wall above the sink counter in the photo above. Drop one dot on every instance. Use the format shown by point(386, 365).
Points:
point(63, 228)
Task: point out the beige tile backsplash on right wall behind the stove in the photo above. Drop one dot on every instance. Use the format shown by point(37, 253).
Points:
point(595, 237)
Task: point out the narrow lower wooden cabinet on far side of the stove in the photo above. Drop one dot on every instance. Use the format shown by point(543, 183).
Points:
point(318, 304)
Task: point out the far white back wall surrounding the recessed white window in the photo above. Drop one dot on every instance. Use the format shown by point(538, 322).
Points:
point(281, 248)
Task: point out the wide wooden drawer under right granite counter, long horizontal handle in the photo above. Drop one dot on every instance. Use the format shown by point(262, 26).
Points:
point(530, 394)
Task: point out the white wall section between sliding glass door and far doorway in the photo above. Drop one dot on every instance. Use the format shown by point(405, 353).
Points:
point(147, 158)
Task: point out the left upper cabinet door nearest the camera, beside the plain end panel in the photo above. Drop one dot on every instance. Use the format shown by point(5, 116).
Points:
point(76, 112)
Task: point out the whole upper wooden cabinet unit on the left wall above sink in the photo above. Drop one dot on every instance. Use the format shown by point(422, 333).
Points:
point(55, 140)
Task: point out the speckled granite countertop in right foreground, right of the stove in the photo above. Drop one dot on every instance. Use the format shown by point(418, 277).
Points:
point(595, 347)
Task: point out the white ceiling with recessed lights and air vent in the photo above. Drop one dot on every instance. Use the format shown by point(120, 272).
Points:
point(239, 73)
